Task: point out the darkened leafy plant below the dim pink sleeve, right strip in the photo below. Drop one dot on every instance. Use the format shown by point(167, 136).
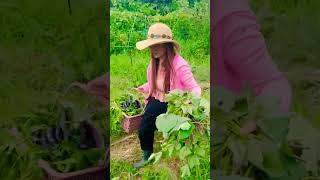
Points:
point(267, 153)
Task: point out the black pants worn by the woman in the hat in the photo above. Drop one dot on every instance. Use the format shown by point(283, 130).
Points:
point(148, 125)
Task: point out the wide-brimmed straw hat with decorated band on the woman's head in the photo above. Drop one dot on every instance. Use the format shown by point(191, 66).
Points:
point(158, 33)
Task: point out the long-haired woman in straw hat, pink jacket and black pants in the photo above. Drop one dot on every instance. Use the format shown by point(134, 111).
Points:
point(167, 71)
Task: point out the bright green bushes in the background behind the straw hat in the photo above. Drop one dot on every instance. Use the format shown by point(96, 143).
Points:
point(128, 27)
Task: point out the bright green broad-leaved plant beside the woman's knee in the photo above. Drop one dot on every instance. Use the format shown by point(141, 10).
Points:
point(185, 129)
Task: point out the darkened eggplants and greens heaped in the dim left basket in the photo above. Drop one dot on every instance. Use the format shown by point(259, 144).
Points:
point(70, 145)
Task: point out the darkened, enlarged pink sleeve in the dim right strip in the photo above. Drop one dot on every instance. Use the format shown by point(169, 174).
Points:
point(239, 53)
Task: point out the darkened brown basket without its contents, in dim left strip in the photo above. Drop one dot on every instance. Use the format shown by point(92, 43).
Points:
point(92, 173)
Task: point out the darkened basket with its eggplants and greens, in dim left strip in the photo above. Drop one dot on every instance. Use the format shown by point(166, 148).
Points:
point(72, 152)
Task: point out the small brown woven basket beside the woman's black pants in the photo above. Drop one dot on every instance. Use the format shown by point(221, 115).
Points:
point(131, 123)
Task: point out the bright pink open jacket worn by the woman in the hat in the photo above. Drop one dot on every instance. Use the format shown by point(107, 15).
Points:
point(182, 79)
